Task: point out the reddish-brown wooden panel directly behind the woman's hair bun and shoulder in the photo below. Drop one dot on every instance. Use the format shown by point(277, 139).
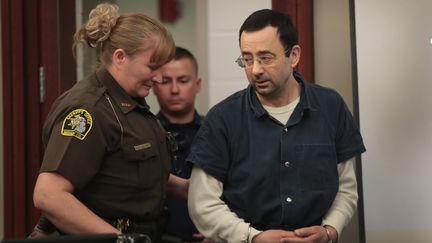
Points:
point(59, 64)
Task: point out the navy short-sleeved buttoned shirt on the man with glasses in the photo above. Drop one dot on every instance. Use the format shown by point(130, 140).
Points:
point(278, 175)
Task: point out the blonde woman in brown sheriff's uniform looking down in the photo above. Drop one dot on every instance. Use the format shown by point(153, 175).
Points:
point(106, 163)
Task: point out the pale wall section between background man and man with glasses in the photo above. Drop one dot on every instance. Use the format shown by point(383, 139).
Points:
point(224, 77)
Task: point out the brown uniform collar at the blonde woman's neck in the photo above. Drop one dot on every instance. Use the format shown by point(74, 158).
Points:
point(123, 100)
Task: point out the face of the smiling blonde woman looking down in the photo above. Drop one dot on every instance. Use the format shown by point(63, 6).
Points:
point(133, 73)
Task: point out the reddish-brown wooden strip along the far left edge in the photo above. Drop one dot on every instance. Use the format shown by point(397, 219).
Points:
point(13, 62)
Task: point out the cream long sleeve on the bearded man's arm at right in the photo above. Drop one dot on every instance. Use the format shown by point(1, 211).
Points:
point(345, 203)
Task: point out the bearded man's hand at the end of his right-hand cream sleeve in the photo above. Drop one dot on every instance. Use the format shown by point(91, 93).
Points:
point(313, 234)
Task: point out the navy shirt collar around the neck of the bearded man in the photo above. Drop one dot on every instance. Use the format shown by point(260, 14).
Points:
point(305, 104)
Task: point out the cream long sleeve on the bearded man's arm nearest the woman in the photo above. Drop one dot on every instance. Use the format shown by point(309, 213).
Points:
point(210, 214)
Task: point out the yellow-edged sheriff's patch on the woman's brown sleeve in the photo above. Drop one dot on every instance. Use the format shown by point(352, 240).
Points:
point(77, 123)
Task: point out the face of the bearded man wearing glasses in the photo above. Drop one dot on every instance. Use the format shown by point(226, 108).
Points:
point(274, 84)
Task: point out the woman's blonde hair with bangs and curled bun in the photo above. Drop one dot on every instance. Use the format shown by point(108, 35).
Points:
point(107, 31)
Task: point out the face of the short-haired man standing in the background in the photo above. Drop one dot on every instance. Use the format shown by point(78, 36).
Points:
point(176, 94)
